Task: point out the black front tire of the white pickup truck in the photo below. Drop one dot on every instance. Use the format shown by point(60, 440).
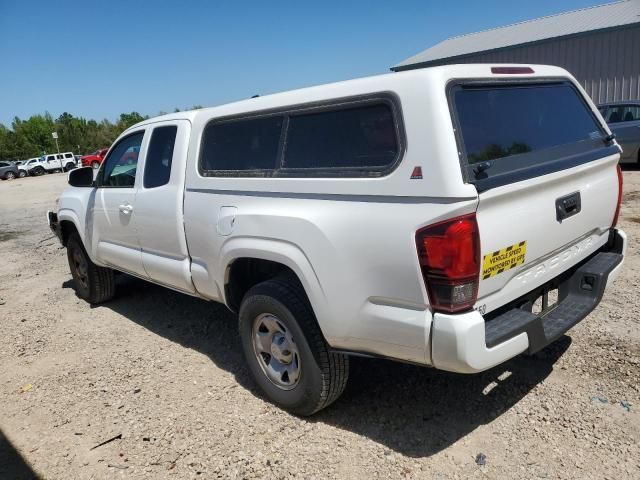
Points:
point(93, 283)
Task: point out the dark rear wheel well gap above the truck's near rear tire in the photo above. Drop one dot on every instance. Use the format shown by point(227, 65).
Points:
point(244, 273)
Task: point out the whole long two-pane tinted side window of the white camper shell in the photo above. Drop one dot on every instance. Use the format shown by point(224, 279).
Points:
point(348, 138)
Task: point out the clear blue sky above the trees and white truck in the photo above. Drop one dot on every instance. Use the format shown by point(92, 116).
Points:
point(98, 59)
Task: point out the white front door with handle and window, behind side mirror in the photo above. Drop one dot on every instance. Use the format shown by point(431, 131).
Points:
point(115, 239)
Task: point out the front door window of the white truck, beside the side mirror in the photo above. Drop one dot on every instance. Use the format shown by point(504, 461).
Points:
point(119, 168)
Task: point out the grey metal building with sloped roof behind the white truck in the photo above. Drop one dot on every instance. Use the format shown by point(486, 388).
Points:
point(599, 45)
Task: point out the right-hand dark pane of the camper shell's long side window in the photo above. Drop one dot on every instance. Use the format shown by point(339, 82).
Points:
point(354, 138)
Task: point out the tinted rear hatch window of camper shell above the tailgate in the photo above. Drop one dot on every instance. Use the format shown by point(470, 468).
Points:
point(511, 132)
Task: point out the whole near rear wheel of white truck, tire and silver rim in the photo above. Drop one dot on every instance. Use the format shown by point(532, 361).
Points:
point(286, 352)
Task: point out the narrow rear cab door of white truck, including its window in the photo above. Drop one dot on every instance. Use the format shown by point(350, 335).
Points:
point(159, 206)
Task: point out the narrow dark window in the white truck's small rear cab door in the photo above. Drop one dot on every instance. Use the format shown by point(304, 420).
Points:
point(157, 169)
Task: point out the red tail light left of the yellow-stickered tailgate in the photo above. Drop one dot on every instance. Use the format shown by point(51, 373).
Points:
point(449, 255)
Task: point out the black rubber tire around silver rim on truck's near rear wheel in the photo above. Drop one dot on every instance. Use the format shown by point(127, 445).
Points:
point(323, 374)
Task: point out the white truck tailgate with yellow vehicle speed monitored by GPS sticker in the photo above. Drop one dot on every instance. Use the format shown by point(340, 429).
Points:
point(524, 245)
